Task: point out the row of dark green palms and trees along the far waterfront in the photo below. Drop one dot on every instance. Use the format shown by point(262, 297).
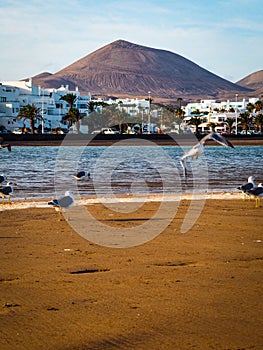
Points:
point(103, 115)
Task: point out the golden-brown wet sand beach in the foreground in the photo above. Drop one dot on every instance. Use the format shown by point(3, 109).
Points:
point(201, 289)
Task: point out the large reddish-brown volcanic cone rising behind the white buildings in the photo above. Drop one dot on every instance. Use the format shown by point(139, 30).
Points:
point(126, 69)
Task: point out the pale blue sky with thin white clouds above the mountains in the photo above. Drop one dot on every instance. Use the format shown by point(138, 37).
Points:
point(222, 36)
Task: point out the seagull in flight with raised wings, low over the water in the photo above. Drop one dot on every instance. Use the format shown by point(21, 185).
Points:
point(198, 149)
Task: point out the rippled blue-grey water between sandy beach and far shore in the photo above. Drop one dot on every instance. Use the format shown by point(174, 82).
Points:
point(41, 172)
